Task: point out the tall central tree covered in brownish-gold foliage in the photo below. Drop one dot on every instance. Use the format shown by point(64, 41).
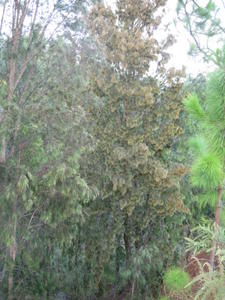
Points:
point(136, 120)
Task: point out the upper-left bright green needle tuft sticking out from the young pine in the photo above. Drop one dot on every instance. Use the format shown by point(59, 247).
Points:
point(193, 107)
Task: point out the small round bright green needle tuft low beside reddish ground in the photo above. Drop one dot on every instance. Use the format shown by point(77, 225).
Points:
point(176, 279)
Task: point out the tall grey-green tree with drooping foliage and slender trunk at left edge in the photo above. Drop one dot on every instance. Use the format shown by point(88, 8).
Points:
point(39, 156)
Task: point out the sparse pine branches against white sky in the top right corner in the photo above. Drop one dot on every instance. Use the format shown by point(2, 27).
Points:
point(203, 21)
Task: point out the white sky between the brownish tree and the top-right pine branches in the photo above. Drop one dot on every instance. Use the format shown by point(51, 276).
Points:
point(179, 51)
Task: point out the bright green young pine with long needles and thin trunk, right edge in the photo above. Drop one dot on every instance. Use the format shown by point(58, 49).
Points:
point(208, 146)
